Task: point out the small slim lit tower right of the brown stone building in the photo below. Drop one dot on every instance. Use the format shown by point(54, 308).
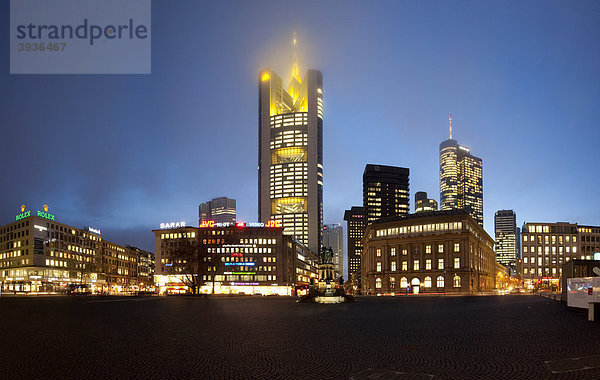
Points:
point(507, 238)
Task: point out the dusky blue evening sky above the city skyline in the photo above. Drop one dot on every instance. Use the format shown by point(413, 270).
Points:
point(126, 152)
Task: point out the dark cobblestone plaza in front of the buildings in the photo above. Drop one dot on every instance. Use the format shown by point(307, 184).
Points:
point(274, 337)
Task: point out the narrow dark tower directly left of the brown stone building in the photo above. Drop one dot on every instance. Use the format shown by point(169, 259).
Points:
point(355, 217)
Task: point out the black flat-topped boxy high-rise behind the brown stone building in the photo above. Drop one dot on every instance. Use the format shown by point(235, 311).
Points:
point(385, 192)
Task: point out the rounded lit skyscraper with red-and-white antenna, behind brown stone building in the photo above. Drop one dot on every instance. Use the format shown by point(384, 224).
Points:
point(461, 179)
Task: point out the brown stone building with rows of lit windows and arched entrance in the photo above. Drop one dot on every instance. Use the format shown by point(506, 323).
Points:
point(436, 252)
